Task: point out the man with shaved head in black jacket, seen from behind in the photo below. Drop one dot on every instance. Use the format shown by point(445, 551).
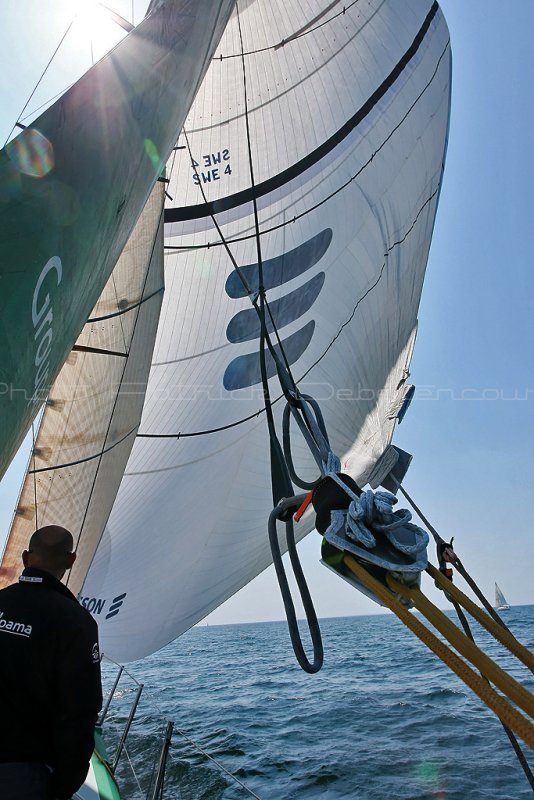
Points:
point(50, 689)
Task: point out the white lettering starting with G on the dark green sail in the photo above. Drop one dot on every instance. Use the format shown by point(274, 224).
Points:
point(42, 318)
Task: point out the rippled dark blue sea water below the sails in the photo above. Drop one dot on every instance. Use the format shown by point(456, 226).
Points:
point(384, 718)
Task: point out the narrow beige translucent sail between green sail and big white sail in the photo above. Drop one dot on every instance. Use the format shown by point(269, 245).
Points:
point(94, 407)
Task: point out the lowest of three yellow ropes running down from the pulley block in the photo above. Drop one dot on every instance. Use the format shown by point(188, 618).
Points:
point(506, 712)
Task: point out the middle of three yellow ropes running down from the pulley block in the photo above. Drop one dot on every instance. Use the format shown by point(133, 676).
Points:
point(465, 646)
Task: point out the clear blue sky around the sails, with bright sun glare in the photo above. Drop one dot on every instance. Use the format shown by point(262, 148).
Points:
point(470, 427)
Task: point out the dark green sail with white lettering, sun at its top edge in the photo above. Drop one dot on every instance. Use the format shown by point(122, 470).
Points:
point(72, 186)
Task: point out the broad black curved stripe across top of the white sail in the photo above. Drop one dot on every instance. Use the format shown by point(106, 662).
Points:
point(185, 213)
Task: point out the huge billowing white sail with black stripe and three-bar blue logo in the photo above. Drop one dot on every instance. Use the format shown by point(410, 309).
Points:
point(348, 109)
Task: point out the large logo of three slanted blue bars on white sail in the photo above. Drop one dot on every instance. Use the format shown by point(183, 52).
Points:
point(245, 370)
